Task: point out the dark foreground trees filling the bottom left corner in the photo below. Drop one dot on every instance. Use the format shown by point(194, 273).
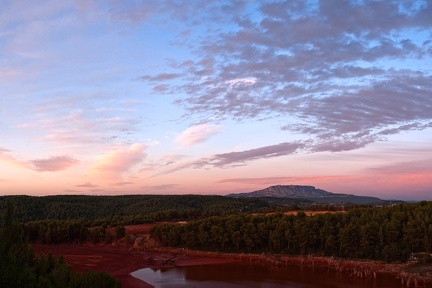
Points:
point(20, 267)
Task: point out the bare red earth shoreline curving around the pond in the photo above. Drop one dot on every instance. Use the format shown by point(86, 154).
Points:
point(121, 261)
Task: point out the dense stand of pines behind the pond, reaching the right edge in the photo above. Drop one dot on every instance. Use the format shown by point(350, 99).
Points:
point(388, 233)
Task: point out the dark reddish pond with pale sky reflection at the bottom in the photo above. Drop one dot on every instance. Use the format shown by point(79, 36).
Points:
point(241, 275)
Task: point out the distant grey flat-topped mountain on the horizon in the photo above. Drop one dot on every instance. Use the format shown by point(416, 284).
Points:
point(312, 194)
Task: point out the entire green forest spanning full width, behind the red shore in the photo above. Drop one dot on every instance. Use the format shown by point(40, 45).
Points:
point(223, 224)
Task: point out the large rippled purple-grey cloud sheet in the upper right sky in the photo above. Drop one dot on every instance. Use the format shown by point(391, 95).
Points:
point(327, 77)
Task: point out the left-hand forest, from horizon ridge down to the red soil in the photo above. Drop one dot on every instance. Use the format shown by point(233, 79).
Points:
point(79, 219)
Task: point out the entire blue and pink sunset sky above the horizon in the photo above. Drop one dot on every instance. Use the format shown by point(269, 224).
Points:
point(107, 97)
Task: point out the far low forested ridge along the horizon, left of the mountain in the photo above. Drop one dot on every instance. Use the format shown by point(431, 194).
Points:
point(128, 209)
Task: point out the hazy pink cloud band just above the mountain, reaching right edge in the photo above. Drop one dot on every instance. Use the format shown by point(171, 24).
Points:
point(405, 181)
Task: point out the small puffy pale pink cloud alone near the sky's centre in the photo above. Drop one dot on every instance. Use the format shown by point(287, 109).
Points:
point(197, 134)
